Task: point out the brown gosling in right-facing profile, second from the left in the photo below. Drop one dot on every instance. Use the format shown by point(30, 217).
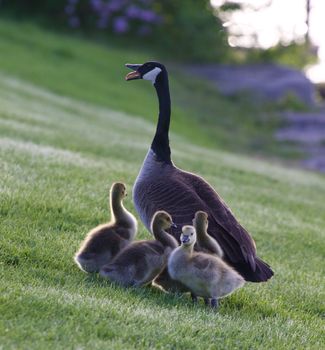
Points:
point(140, 262)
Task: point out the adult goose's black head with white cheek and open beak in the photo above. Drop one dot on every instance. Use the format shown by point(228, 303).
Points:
point(148, 71)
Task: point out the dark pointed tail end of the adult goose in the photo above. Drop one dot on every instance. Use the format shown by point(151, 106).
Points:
point(262, 273)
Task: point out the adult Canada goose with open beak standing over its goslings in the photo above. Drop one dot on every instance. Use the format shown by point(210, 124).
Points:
point(160, 185)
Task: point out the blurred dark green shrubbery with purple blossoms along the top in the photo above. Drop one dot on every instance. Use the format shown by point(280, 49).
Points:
point(184, 29)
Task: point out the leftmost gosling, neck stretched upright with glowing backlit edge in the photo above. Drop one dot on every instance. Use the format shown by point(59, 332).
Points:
point(105, 241)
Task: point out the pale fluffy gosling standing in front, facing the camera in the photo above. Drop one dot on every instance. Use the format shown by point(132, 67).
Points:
point(205, 275)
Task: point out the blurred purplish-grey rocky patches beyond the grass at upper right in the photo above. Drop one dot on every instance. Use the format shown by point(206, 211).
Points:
point(273, 82)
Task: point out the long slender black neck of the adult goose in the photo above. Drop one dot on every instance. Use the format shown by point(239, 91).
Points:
point(160, 143)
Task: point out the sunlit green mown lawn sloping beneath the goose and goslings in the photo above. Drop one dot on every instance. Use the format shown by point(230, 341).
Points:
point(58, 156)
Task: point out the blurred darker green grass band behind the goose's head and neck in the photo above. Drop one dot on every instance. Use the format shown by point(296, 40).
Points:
point(95, 74)
